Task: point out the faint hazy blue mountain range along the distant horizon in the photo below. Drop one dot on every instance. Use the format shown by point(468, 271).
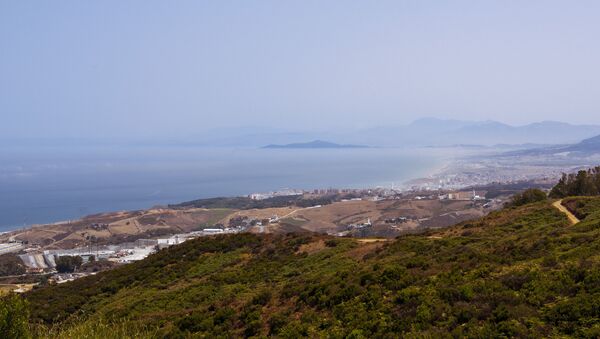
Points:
point(422, 132)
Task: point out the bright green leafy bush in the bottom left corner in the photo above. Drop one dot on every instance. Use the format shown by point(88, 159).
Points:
point(14, 317)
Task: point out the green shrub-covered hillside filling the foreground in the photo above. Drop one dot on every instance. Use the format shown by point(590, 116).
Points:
point(517, 272)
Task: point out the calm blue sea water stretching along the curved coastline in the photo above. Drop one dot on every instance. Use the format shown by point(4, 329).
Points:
point(44, 185)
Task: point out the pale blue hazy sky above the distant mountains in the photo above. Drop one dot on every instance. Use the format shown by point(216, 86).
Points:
point(164, 68)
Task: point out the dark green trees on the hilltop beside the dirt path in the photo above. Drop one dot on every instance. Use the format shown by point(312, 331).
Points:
point(584, 183)
